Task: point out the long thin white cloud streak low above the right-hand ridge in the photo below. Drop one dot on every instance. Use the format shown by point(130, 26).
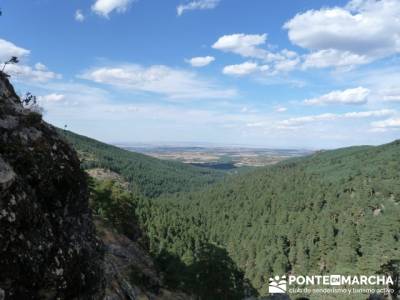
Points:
point(300, 121)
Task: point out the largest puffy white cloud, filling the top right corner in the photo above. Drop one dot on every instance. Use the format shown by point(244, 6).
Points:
point(363, 31)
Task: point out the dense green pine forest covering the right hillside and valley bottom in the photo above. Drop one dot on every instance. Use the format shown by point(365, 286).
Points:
point(332, 212)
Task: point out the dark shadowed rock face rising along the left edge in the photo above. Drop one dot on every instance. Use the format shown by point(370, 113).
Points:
point(48, 247)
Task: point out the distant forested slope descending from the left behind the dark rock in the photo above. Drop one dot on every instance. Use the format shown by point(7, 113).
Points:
point(151, 177)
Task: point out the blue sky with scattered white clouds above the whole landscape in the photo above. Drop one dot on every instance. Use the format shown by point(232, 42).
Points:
point(278, 74)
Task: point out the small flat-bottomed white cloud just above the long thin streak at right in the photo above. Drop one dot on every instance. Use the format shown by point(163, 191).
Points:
point(357, 95)
